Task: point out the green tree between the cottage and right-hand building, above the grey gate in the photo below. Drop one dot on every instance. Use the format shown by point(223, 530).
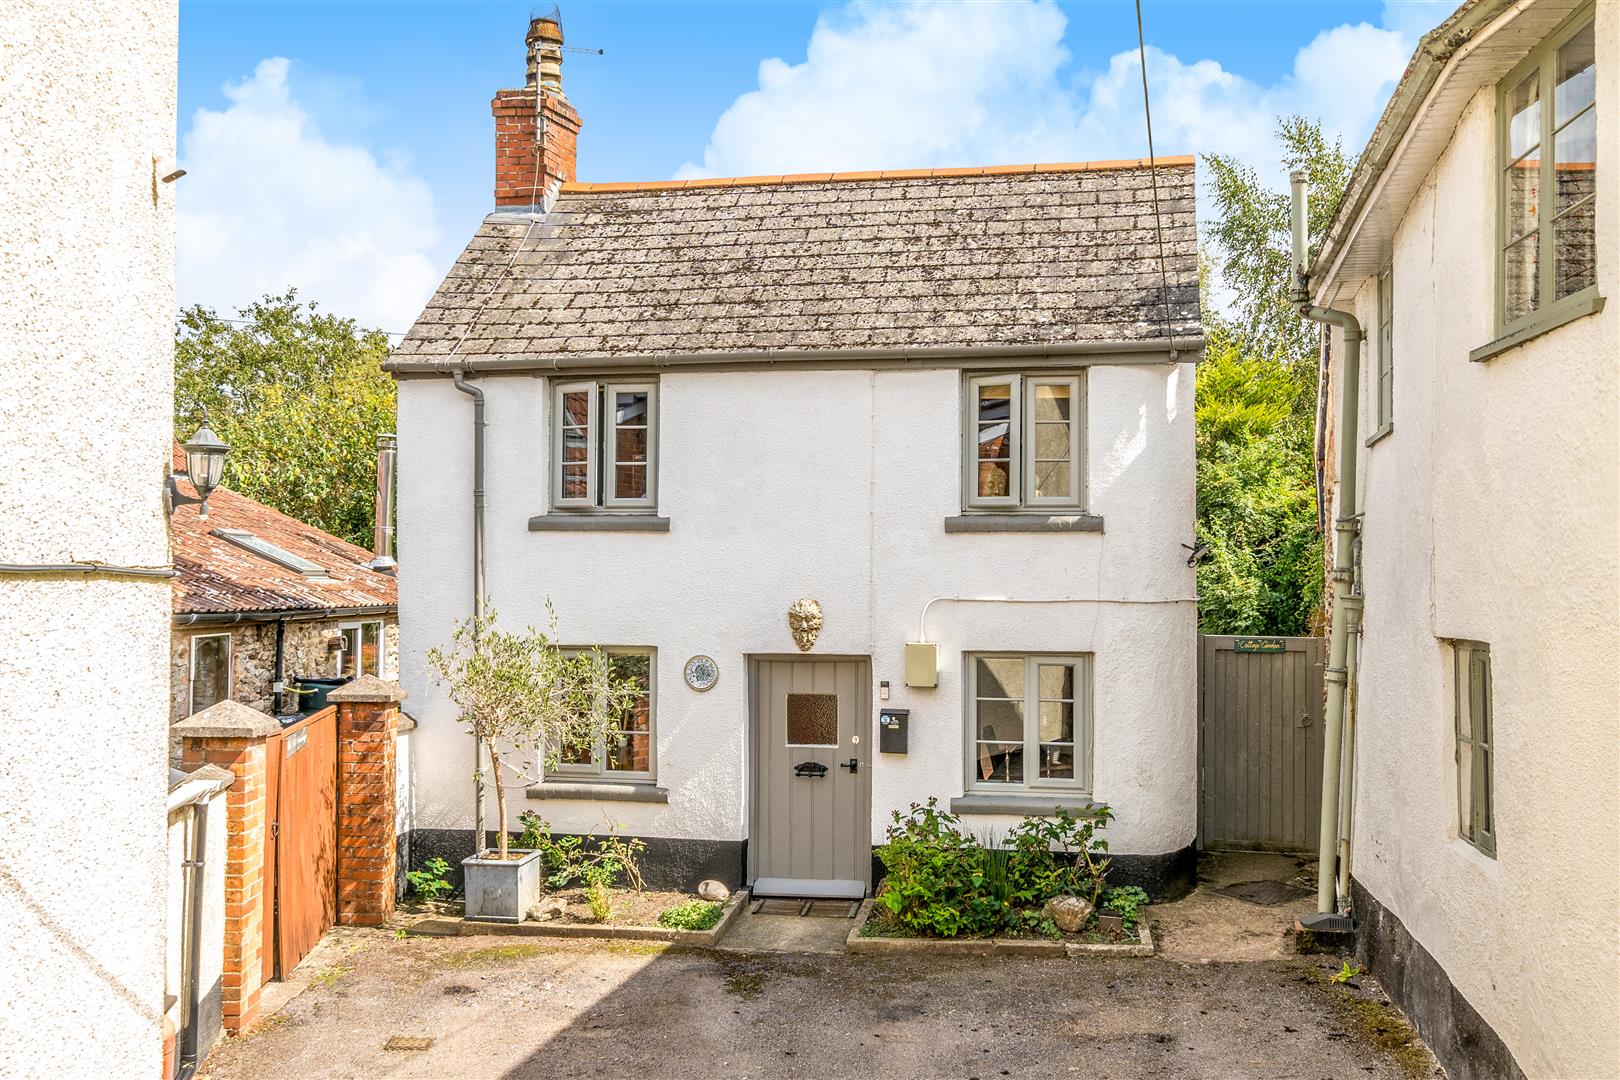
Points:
point(1256, 401)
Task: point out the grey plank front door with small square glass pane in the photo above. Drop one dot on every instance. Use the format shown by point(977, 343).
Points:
point(812, 778)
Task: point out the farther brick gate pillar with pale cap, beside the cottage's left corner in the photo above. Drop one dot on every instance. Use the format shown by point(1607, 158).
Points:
point(369, 713)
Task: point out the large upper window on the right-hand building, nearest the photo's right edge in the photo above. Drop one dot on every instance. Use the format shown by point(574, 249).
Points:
point(1548, 202)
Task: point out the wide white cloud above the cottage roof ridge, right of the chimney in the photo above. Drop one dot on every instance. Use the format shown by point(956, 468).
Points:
point(932, 85)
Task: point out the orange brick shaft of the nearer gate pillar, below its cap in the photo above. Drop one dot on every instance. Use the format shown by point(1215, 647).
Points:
point(247, 835)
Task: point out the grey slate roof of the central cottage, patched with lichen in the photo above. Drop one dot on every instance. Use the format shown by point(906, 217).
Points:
point(1012, 255)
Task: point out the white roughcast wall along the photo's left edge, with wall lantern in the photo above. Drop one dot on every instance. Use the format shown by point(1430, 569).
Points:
point(87, 331)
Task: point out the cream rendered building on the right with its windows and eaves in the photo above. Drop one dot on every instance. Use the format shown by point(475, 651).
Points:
point(1480, 249)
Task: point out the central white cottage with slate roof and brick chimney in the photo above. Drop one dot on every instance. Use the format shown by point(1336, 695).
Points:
point(950, 407)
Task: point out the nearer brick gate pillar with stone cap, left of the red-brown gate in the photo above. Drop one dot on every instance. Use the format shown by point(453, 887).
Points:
point(232, 736)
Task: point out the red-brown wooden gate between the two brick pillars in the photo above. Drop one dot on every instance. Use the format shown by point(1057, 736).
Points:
point(301, 862)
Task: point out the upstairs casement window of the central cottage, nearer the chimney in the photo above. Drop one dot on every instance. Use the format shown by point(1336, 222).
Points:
point(605, 446)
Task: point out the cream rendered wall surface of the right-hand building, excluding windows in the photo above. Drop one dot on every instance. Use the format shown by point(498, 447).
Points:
point(1493, 514)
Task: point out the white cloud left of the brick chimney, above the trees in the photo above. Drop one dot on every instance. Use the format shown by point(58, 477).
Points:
point(268, 203)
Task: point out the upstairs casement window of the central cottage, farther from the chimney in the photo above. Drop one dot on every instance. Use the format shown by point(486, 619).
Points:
point(1025, 443)
